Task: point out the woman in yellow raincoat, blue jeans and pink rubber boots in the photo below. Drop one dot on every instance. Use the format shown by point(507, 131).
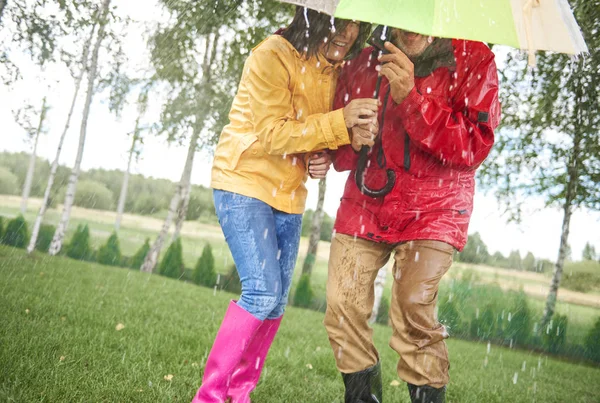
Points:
point(279, 117)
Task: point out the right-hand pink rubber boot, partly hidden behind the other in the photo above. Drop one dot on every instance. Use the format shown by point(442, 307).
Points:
point(246, 375)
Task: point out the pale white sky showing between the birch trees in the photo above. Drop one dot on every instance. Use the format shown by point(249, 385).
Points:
point(107, 144)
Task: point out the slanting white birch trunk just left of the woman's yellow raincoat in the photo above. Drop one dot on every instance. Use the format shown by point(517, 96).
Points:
point(152, 256)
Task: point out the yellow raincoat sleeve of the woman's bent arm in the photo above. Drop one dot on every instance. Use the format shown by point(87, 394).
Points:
point(279, 128)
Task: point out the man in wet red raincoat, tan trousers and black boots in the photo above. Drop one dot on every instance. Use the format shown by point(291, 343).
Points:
point(439, 110)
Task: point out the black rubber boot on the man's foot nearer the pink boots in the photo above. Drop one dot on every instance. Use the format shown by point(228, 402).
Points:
point(364, 386)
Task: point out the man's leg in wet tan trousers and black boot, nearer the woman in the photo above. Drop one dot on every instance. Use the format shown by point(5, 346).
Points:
point(353, 267)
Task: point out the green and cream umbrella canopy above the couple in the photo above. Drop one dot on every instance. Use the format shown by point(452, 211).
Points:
point(524, 24)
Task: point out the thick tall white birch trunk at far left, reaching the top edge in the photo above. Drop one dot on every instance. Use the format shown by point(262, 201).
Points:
point(59, 235)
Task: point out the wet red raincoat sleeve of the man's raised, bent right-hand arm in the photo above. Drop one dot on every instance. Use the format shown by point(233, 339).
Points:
point(460, 134)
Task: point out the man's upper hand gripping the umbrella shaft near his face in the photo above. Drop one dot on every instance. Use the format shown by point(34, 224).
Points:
point(399, 71)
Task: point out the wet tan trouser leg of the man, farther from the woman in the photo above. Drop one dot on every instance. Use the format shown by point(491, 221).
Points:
point(417, 336)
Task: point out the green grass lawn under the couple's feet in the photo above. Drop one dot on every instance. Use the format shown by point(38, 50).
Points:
point(60, 343)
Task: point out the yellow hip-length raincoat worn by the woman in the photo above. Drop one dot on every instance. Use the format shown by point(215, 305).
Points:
point(281, 111)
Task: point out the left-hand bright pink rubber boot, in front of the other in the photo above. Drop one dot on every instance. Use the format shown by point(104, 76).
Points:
point(234, 336)
